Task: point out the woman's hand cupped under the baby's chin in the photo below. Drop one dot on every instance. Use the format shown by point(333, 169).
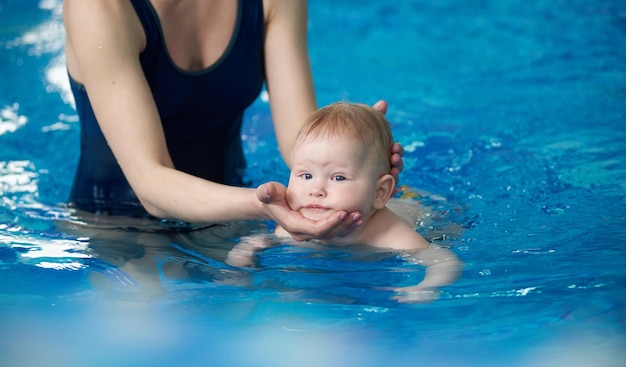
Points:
point(337, 224)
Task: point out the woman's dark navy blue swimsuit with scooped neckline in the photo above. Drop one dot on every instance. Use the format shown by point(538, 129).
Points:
point(201, 114)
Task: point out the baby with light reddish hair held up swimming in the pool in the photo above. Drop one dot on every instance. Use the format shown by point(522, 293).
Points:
point(341, 162)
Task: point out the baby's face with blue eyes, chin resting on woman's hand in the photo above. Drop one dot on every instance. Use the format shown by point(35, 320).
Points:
point(331, 175)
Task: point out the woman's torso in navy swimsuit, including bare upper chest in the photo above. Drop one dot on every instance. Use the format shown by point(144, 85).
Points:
point(202, 75)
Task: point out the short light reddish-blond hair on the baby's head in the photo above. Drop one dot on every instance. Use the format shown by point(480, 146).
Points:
point(353, 121)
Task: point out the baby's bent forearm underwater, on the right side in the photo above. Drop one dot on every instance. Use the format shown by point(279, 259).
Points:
point(443, 268)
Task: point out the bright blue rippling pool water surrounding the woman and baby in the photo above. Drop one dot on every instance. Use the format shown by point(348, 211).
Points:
point(513, 117)
